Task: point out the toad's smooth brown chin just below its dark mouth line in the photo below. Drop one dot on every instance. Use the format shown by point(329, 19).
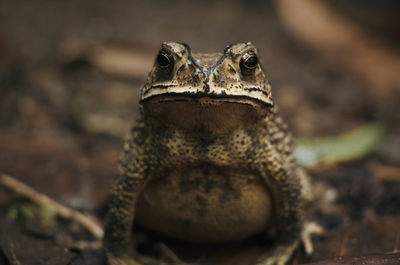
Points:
point(204, 115)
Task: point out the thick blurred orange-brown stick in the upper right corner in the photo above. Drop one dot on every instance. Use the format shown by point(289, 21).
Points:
point(343, 42)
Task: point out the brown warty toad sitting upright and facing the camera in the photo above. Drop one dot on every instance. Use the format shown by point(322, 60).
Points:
point(209, 161)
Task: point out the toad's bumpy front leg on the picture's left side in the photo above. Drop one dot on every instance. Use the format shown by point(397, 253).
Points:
point(130, 180)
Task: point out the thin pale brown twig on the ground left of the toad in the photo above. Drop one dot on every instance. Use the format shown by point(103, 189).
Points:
point(93, 226)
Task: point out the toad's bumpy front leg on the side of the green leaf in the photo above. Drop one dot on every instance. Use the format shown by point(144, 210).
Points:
point(285, 186)
